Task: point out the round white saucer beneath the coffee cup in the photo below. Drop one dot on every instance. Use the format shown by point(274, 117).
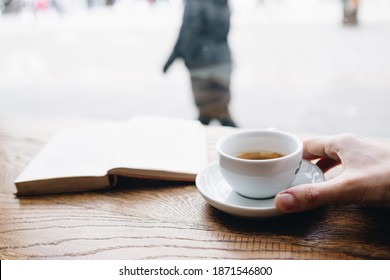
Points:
point(219, 194)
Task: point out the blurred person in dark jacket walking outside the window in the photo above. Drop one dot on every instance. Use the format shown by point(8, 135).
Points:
point(203, 45)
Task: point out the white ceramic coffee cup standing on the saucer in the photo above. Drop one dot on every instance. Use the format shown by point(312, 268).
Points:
point(260, 178)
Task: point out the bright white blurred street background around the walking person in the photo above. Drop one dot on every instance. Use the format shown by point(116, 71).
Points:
point(299, 65)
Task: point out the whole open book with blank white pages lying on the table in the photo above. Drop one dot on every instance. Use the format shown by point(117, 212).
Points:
point(92, 157)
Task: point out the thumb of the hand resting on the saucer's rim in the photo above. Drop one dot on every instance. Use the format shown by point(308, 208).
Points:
point(308, 196)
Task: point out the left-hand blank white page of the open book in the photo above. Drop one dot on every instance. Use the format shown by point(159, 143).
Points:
point(75, 152)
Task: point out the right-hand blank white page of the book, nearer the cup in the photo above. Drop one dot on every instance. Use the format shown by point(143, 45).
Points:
point(162, 144)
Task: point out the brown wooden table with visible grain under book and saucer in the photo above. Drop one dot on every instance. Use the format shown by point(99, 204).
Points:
point(142, 219)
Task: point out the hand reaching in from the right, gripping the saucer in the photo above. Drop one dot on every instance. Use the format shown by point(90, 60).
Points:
point(365, 179)
